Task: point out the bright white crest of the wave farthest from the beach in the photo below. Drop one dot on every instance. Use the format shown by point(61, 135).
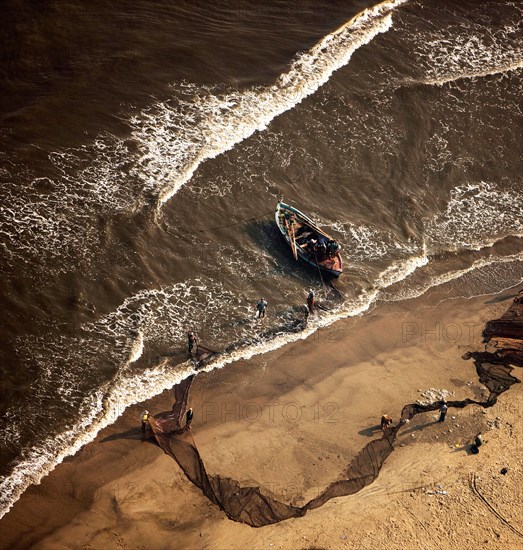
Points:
point(170, 158)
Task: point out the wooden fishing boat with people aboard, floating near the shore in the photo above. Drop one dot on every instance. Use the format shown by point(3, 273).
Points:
point(307, 241)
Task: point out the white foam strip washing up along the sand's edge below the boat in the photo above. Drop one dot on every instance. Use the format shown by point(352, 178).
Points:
point(105, 405)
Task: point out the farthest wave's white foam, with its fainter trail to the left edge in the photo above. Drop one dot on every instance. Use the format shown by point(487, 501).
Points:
point(172, 142)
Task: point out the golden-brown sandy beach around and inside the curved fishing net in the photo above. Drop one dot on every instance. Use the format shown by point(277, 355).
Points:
point(290, 421)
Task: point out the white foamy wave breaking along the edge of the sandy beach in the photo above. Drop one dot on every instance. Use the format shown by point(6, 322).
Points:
point(131, 326)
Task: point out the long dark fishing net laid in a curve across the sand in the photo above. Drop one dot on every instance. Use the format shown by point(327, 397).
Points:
point(251, 505)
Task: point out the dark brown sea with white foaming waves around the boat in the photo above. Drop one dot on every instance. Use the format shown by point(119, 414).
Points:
point(144, 146)
